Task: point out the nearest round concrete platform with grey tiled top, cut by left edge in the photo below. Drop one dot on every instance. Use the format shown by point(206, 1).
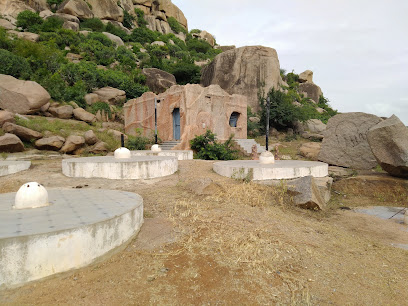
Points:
point(78, 227)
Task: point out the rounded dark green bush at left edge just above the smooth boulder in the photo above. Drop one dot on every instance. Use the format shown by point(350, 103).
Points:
point(14, 65)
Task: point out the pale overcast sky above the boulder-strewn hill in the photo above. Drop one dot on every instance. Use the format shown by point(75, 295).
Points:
point(358, 50)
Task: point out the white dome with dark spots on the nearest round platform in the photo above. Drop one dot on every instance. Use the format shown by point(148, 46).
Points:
point(31, 195)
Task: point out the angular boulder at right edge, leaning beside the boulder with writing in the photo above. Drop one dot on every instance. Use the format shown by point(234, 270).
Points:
point(388, 141)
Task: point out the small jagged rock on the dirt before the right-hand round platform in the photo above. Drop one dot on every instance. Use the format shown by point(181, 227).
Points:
point(307, 193)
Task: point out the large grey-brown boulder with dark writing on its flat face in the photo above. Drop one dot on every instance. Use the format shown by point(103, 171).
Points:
point(345, 141)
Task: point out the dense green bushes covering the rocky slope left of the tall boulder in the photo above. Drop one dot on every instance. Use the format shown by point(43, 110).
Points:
point(45, 62)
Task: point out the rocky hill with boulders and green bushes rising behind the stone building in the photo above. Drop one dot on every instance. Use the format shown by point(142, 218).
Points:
point(83, 60)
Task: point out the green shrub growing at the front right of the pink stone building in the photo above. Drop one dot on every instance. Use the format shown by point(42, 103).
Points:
point(206, 147)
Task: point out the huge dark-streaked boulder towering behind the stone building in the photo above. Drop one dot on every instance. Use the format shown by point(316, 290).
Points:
point(244, 71)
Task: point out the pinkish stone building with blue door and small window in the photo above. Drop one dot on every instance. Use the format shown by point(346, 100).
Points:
point(184, 112)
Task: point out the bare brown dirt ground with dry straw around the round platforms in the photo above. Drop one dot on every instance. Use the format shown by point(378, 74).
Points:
point(243, 244)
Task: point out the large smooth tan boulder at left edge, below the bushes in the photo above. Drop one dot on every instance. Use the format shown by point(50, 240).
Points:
point(23, 97)
